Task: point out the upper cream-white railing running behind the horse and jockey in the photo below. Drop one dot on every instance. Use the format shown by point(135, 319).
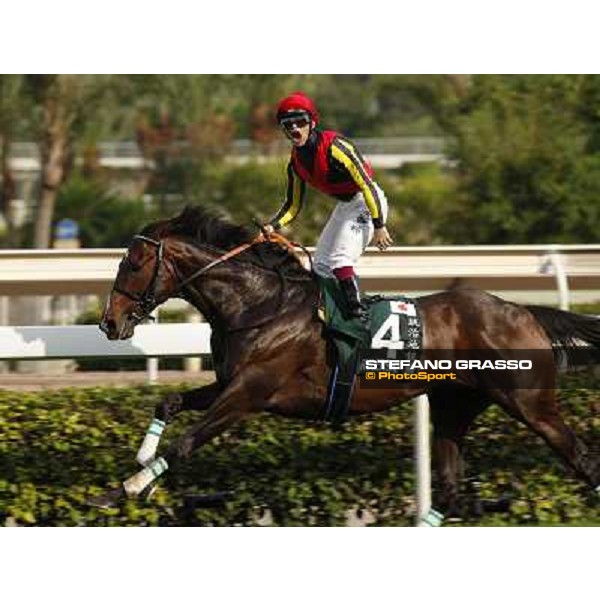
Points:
point(559, 271)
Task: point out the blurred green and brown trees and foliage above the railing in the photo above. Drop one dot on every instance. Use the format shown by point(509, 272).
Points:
point(522, 151)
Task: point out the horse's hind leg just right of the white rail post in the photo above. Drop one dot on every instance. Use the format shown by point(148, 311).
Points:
point(453, 411)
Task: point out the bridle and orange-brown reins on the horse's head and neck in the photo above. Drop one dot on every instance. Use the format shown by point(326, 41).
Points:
point(146, 300)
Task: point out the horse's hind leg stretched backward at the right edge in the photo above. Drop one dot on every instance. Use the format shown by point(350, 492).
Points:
point(538, 409)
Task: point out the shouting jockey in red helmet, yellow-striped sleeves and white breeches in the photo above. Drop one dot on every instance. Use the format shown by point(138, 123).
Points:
point(333, 165)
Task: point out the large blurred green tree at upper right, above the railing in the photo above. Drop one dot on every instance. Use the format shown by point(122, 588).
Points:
point(524, 157)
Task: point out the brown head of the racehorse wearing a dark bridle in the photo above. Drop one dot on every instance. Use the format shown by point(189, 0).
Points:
point(143, 281)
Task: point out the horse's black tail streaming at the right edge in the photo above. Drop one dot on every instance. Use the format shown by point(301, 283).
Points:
point(577, 336)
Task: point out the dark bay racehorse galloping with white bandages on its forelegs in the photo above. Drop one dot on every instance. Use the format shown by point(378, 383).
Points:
point(269, 353)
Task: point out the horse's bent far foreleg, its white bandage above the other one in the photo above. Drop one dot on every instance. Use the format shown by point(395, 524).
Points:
point(167, 410)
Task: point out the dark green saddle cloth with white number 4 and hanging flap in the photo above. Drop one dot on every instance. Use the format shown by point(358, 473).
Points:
point(393, 323)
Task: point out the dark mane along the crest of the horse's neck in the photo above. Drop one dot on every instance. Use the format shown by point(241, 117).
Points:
point(203, 226)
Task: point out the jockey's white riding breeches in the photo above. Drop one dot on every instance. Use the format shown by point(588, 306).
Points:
point(347, 233)
